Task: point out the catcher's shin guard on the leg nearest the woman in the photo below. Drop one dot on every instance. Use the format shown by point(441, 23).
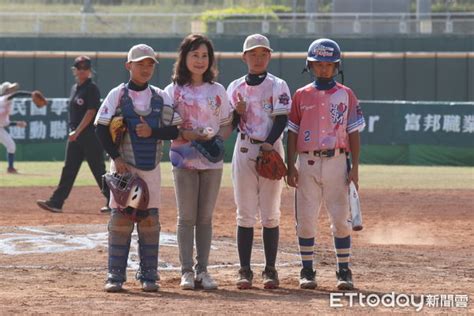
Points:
point(148, 245)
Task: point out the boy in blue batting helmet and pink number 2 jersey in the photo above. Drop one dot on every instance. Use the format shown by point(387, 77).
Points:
point(324, 126)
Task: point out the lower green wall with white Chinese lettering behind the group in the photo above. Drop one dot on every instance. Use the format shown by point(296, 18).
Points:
point(396, 132)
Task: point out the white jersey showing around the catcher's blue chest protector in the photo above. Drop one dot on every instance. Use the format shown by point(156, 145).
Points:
point(141, 102)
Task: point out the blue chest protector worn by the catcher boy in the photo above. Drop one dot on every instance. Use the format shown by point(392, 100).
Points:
point(143, 153)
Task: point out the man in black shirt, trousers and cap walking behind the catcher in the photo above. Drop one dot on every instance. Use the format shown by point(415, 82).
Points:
point(82, 143)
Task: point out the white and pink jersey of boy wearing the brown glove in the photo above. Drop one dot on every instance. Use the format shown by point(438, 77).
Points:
point(264, 102)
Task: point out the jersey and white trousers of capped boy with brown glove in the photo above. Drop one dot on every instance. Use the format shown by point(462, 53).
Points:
point(254, 195)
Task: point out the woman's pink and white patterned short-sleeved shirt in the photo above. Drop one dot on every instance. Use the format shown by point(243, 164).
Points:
point(203, 106)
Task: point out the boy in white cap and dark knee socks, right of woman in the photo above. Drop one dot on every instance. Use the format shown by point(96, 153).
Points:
point(261, 102)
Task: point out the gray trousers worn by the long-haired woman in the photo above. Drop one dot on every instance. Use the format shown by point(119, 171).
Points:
point(196, 195)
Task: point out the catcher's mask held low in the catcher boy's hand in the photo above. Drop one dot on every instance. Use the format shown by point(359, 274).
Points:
point(129, 190)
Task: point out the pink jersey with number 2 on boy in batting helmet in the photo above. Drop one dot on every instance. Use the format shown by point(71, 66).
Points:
point(323, 119)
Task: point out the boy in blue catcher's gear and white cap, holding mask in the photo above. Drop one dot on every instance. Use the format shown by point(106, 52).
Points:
point(135, 167)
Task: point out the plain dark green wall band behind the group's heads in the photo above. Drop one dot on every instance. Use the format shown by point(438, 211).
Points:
point(415, 76)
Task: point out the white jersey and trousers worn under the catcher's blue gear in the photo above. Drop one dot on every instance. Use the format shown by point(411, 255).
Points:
point(141, 101)
